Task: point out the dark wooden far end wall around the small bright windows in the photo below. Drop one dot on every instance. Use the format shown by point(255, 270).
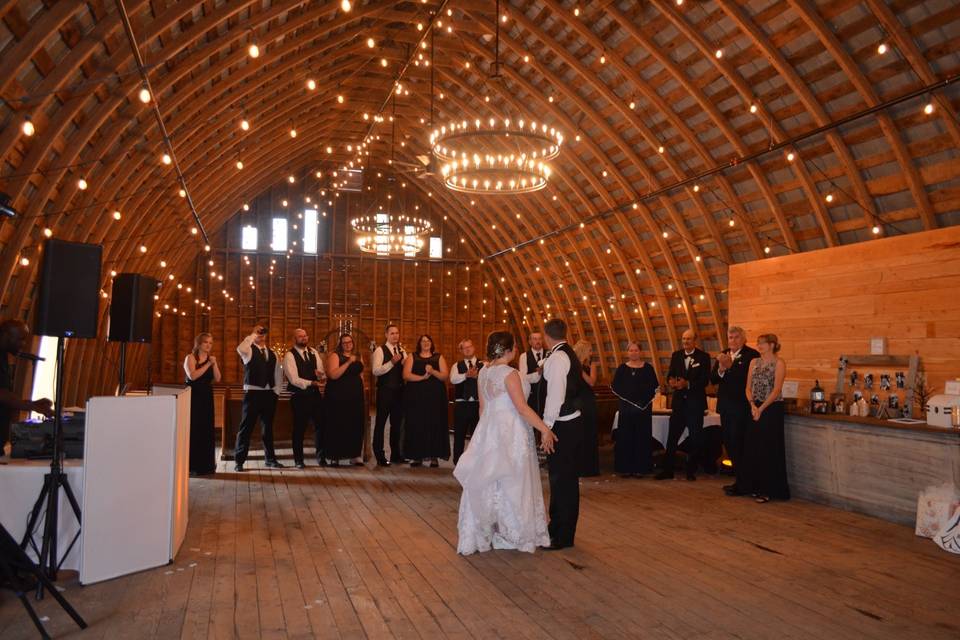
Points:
point(449, 298)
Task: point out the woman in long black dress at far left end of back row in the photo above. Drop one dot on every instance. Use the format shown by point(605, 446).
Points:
point(202, 371)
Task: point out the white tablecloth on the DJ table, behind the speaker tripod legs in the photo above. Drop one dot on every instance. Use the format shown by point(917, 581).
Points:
point(20, 484)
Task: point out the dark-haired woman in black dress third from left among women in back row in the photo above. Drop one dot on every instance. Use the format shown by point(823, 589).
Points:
point(426, 433)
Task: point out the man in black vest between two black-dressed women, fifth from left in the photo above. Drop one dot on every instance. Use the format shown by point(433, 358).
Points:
point(387, 363)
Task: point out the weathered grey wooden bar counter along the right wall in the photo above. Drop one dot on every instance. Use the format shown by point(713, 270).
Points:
point(871, 466)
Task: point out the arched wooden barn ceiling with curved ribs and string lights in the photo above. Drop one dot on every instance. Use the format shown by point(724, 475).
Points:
point(699, 134)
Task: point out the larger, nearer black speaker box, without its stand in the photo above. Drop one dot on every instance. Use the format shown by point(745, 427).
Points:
point(69, 292)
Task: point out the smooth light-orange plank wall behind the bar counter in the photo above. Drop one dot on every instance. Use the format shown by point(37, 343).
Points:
point(822, 304)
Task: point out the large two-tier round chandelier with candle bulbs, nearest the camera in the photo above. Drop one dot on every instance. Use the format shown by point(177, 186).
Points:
point(495, 156)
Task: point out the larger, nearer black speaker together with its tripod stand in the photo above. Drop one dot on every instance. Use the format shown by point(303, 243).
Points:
point(67, 307)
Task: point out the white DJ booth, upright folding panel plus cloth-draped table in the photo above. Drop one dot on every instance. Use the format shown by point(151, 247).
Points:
point(132, 486)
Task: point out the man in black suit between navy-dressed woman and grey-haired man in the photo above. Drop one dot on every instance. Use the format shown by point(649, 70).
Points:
point(688, 376)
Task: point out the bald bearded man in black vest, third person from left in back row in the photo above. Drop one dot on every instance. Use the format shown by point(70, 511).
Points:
point(304, 370)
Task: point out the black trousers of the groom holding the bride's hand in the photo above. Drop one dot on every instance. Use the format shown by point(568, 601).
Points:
point(564, 483)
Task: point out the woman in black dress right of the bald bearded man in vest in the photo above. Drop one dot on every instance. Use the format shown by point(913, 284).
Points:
point(344, 404)
